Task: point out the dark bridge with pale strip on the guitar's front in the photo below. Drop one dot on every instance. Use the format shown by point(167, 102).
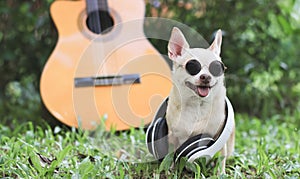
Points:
point(111, 80)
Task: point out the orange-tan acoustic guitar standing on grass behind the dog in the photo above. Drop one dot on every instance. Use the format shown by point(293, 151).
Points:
point(103, 70)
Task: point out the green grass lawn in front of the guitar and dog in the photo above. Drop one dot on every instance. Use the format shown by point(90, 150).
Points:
point(264, 149)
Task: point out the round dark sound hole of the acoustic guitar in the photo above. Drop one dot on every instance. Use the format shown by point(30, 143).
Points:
point(100, 22)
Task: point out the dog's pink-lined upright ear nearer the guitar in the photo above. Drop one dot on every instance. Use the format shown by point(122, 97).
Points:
point(177, 44)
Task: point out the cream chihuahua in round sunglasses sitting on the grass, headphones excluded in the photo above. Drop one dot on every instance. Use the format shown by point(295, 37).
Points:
point(197, 98)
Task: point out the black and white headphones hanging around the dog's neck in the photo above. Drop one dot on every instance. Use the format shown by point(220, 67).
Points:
point(201, 145)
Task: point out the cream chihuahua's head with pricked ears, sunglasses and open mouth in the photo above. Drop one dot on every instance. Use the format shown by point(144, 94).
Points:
point(196, 71)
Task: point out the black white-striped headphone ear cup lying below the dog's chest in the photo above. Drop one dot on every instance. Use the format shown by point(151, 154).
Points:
point(193, 145)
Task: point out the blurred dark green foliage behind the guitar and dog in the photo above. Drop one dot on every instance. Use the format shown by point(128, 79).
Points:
point(260, 49)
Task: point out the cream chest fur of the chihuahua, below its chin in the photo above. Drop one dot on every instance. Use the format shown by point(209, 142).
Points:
point(187, 117)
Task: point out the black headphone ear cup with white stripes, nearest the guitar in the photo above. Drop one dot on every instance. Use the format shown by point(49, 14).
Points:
point(157, 138)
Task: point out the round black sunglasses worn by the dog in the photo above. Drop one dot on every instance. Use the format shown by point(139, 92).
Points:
point(216, 68)
